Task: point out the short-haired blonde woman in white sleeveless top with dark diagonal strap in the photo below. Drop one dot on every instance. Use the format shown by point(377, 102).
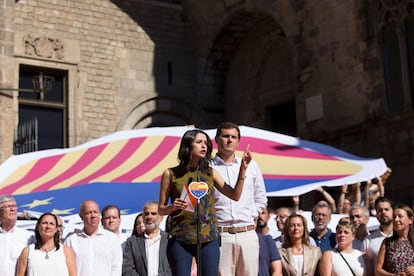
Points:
point(344, 260)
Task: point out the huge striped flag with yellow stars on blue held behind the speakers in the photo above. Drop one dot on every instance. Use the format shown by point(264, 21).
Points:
point(124, 169)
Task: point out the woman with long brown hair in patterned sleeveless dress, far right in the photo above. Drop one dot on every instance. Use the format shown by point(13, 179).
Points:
point(396, 254)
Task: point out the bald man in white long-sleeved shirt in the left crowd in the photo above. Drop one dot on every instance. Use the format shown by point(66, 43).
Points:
point(97, 251)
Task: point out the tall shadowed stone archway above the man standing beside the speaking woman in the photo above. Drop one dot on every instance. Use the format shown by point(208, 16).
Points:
point(250, 67)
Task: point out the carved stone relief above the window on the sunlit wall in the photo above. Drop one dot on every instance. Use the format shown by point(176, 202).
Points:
point(42, 46)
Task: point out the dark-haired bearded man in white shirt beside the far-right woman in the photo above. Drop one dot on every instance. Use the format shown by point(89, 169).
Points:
point(384, 208)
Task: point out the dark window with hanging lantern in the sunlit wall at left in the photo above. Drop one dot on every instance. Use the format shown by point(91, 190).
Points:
point(45, 109)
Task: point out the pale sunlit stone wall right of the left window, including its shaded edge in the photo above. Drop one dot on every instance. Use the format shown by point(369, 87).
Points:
point(114, 50)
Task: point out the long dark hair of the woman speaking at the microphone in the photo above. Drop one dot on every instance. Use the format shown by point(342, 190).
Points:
point(184, 153)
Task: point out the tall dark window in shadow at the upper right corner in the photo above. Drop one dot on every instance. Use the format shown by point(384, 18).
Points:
point(395, 23)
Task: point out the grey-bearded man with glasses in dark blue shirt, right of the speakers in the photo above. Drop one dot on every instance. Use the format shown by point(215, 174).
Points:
point(323, 236)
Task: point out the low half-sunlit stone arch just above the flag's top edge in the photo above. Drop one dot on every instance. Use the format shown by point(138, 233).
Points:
point(160, 111)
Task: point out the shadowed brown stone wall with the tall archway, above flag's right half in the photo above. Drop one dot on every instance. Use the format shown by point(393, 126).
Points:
point(334, 57)
